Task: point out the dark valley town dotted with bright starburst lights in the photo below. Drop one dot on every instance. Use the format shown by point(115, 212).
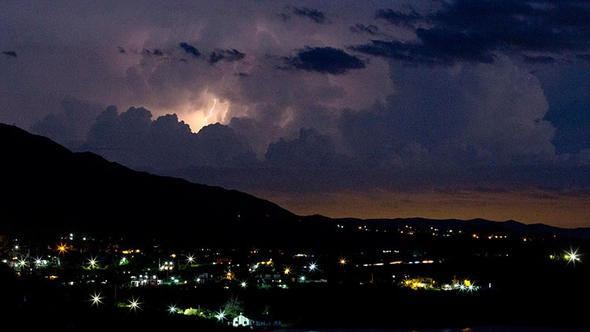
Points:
point(406, 272)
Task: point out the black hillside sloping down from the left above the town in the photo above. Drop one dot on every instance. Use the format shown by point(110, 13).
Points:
point(46, 187)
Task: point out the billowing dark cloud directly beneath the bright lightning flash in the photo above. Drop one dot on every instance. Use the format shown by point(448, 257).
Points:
point(165, 143)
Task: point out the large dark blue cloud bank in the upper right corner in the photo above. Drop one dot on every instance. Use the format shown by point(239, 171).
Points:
point(476, 31)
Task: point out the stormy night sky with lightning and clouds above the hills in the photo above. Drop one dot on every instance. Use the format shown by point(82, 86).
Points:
point(347, 108)
